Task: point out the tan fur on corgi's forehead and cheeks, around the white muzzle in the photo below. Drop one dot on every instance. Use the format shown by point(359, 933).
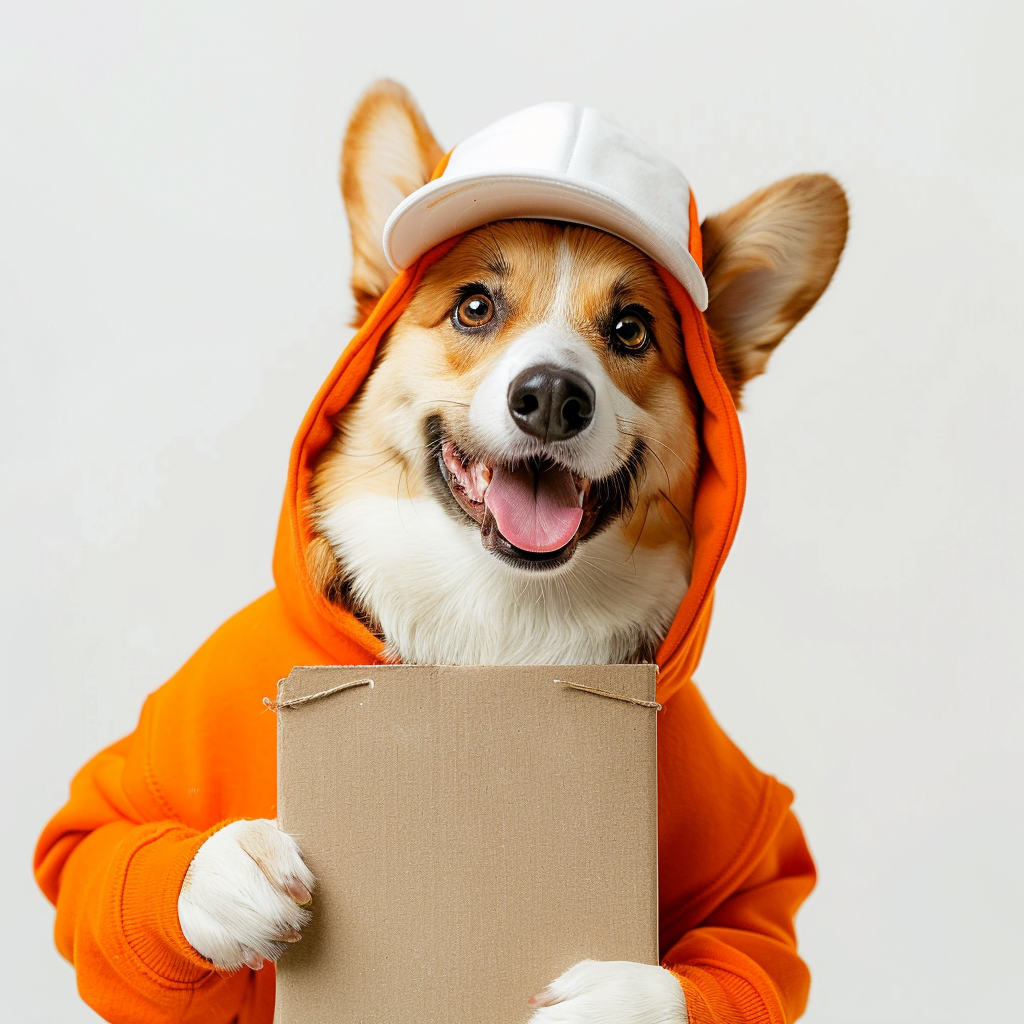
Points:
point(428, 368)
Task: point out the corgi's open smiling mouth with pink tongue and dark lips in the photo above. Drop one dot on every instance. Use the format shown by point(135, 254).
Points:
point(533, 514)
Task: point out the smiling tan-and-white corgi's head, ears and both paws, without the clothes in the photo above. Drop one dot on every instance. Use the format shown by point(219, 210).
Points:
point(516, 481)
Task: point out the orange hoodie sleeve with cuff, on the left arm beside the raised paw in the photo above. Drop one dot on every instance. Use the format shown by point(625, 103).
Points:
point(113, 862)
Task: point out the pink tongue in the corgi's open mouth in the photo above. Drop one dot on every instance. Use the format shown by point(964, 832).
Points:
point(535, 513)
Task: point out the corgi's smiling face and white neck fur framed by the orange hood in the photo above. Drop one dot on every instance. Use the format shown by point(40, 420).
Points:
point(529, 432)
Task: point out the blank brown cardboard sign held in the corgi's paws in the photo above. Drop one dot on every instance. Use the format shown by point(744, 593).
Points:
point(475, 832)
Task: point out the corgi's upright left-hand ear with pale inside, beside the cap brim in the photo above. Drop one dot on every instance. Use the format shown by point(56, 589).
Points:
point(389, 153)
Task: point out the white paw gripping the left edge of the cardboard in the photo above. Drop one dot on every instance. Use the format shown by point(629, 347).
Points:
point(240, 902)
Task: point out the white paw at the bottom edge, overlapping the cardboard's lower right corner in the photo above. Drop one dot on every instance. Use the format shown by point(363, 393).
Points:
point(612, 993)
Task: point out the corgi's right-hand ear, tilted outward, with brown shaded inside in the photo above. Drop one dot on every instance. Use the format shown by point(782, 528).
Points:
point(767, 261)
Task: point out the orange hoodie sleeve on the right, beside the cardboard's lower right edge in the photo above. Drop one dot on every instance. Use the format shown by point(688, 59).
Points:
point(740, 965)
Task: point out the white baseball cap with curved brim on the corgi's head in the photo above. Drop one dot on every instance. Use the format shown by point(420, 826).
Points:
point(554, 162)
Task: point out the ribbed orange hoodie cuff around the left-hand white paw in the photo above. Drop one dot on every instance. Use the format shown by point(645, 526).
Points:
point(153, 879)
